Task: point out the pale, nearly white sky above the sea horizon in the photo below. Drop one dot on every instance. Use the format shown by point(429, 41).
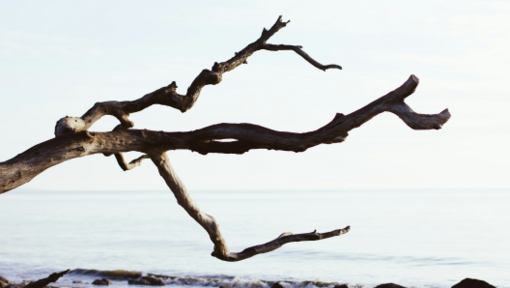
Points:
point(58, 58)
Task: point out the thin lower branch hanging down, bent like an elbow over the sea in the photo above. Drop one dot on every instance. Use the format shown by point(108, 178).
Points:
point(211, 226)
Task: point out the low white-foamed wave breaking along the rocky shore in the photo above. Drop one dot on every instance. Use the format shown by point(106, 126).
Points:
point(202, 281)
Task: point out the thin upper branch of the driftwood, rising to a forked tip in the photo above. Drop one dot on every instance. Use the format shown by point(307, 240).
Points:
point(168, 95)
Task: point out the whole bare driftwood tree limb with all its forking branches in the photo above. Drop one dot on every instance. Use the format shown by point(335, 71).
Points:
point(73, 139)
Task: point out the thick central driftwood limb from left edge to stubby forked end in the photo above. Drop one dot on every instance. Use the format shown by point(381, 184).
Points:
point(27, 165)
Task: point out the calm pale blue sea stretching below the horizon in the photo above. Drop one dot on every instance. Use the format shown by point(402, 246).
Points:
point(422, 238)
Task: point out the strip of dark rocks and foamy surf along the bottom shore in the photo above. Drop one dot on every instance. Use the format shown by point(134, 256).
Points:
point(88, 278)
